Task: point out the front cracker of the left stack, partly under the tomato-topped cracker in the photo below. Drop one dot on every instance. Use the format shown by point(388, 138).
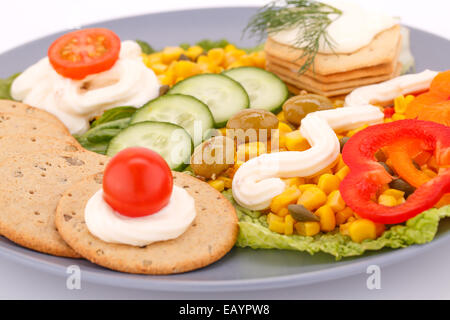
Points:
point(30, 189)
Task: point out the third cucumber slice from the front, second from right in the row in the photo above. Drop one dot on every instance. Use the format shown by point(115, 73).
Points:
point(221, 94)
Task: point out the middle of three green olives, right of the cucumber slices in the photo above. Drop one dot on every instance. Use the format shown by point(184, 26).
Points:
point(261, 123)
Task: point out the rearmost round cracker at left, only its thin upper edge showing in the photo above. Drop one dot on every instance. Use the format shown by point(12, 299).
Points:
point(21, 109)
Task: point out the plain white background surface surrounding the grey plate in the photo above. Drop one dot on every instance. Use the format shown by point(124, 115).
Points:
point(22, 20)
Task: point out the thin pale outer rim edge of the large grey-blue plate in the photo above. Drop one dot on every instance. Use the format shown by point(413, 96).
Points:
point(104, 276)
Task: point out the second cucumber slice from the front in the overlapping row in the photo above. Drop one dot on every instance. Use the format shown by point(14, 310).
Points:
point(186, 111)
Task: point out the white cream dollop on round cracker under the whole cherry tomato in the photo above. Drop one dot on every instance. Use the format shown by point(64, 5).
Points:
point(169, 223)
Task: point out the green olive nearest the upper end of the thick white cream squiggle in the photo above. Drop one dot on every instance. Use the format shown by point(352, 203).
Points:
point(298, 107)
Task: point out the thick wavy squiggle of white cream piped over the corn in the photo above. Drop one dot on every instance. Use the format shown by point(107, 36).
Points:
point(258, 180)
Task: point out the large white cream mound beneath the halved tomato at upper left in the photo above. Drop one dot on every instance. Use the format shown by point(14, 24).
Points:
point(75, 102)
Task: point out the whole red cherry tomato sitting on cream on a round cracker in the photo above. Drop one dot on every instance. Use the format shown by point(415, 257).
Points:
point(137, 182)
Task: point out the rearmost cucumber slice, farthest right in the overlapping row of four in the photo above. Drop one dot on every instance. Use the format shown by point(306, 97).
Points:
point(265, 90)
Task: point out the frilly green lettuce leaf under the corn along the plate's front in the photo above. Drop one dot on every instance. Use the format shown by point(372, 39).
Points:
point(254, 233)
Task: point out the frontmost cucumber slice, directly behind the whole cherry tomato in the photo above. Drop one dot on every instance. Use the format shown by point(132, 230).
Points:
point(172, 142)
